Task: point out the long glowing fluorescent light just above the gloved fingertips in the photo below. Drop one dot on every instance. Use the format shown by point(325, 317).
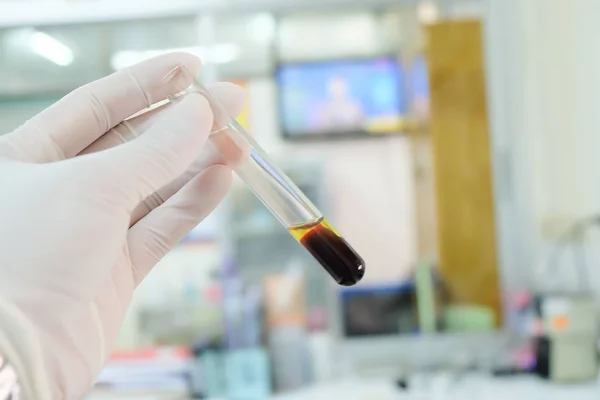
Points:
point(218, 54)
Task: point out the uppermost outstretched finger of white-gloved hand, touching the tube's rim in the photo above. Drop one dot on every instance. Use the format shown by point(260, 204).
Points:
point(67, 127)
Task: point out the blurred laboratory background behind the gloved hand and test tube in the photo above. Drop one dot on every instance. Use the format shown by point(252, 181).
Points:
point(453, 143)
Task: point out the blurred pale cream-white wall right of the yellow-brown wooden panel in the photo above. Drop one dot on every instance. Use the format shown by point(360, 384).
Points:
point(544, 76)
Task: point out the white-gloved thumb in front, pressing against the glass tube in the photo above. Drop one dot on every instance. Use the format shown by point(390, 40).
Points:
point(129, 173)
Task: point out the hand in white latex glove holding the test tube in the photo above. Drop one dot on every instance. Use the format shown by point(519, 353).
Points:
point(85, 217)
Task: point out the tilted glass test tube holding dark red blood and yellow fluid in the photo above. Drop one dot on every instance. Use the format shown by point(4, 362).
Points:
point(276, 191)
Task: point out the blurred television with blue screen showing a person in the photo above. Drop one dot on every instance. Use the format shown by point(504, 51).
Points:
point(341, 98)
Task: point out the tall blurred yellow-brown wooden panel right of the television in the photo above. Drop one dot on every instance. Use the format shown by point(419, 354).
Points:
point(462, 166)
